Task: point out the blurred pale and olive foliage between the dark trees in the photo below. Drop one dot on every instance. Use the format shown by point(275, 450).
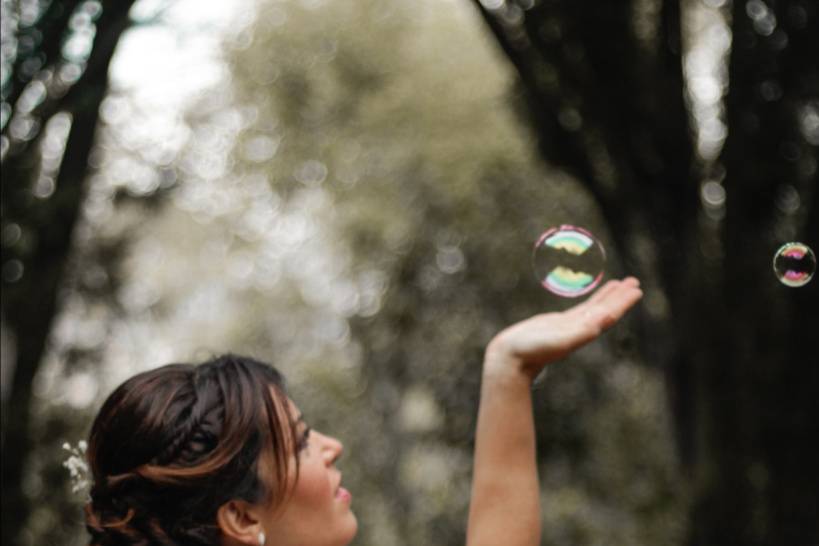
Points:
point(355, 202)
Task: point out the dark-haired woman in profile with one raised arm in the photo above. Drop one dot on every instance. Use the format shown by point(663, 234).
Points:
point(217, 454)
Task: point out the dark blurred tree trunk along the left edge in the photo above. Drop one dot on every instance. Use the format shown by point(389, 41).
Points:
point(34, 260)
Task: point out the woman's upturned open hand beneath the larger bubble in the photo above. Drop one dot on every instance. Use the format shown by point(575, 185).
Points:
point(531, 344)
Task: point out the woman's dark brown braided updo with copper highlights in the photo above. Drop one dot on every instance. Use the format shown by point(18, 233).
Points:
point(171, 445)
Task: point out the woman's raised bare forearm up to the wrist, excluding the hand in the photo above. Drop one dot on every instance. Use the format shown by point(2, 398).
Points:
point(505, 506)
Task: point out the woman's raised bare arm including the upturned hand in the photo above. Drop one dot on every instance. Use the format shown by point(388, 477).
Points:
point(505, 506)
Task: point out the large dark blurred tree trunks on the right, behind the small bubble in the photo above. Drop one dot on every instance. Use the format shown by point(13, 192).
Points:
point(603, 88)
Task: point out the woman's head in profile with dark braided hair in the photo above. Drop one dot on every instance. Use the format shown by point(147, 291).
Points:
point(209, 455)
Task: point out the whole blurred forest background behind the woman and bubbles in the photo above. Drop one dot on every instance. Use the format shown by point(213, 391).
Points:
point(351, 191)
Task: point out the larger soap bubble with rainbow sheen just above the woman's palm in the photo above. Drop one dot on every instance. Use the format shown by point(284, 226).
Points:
point(568, 261)
